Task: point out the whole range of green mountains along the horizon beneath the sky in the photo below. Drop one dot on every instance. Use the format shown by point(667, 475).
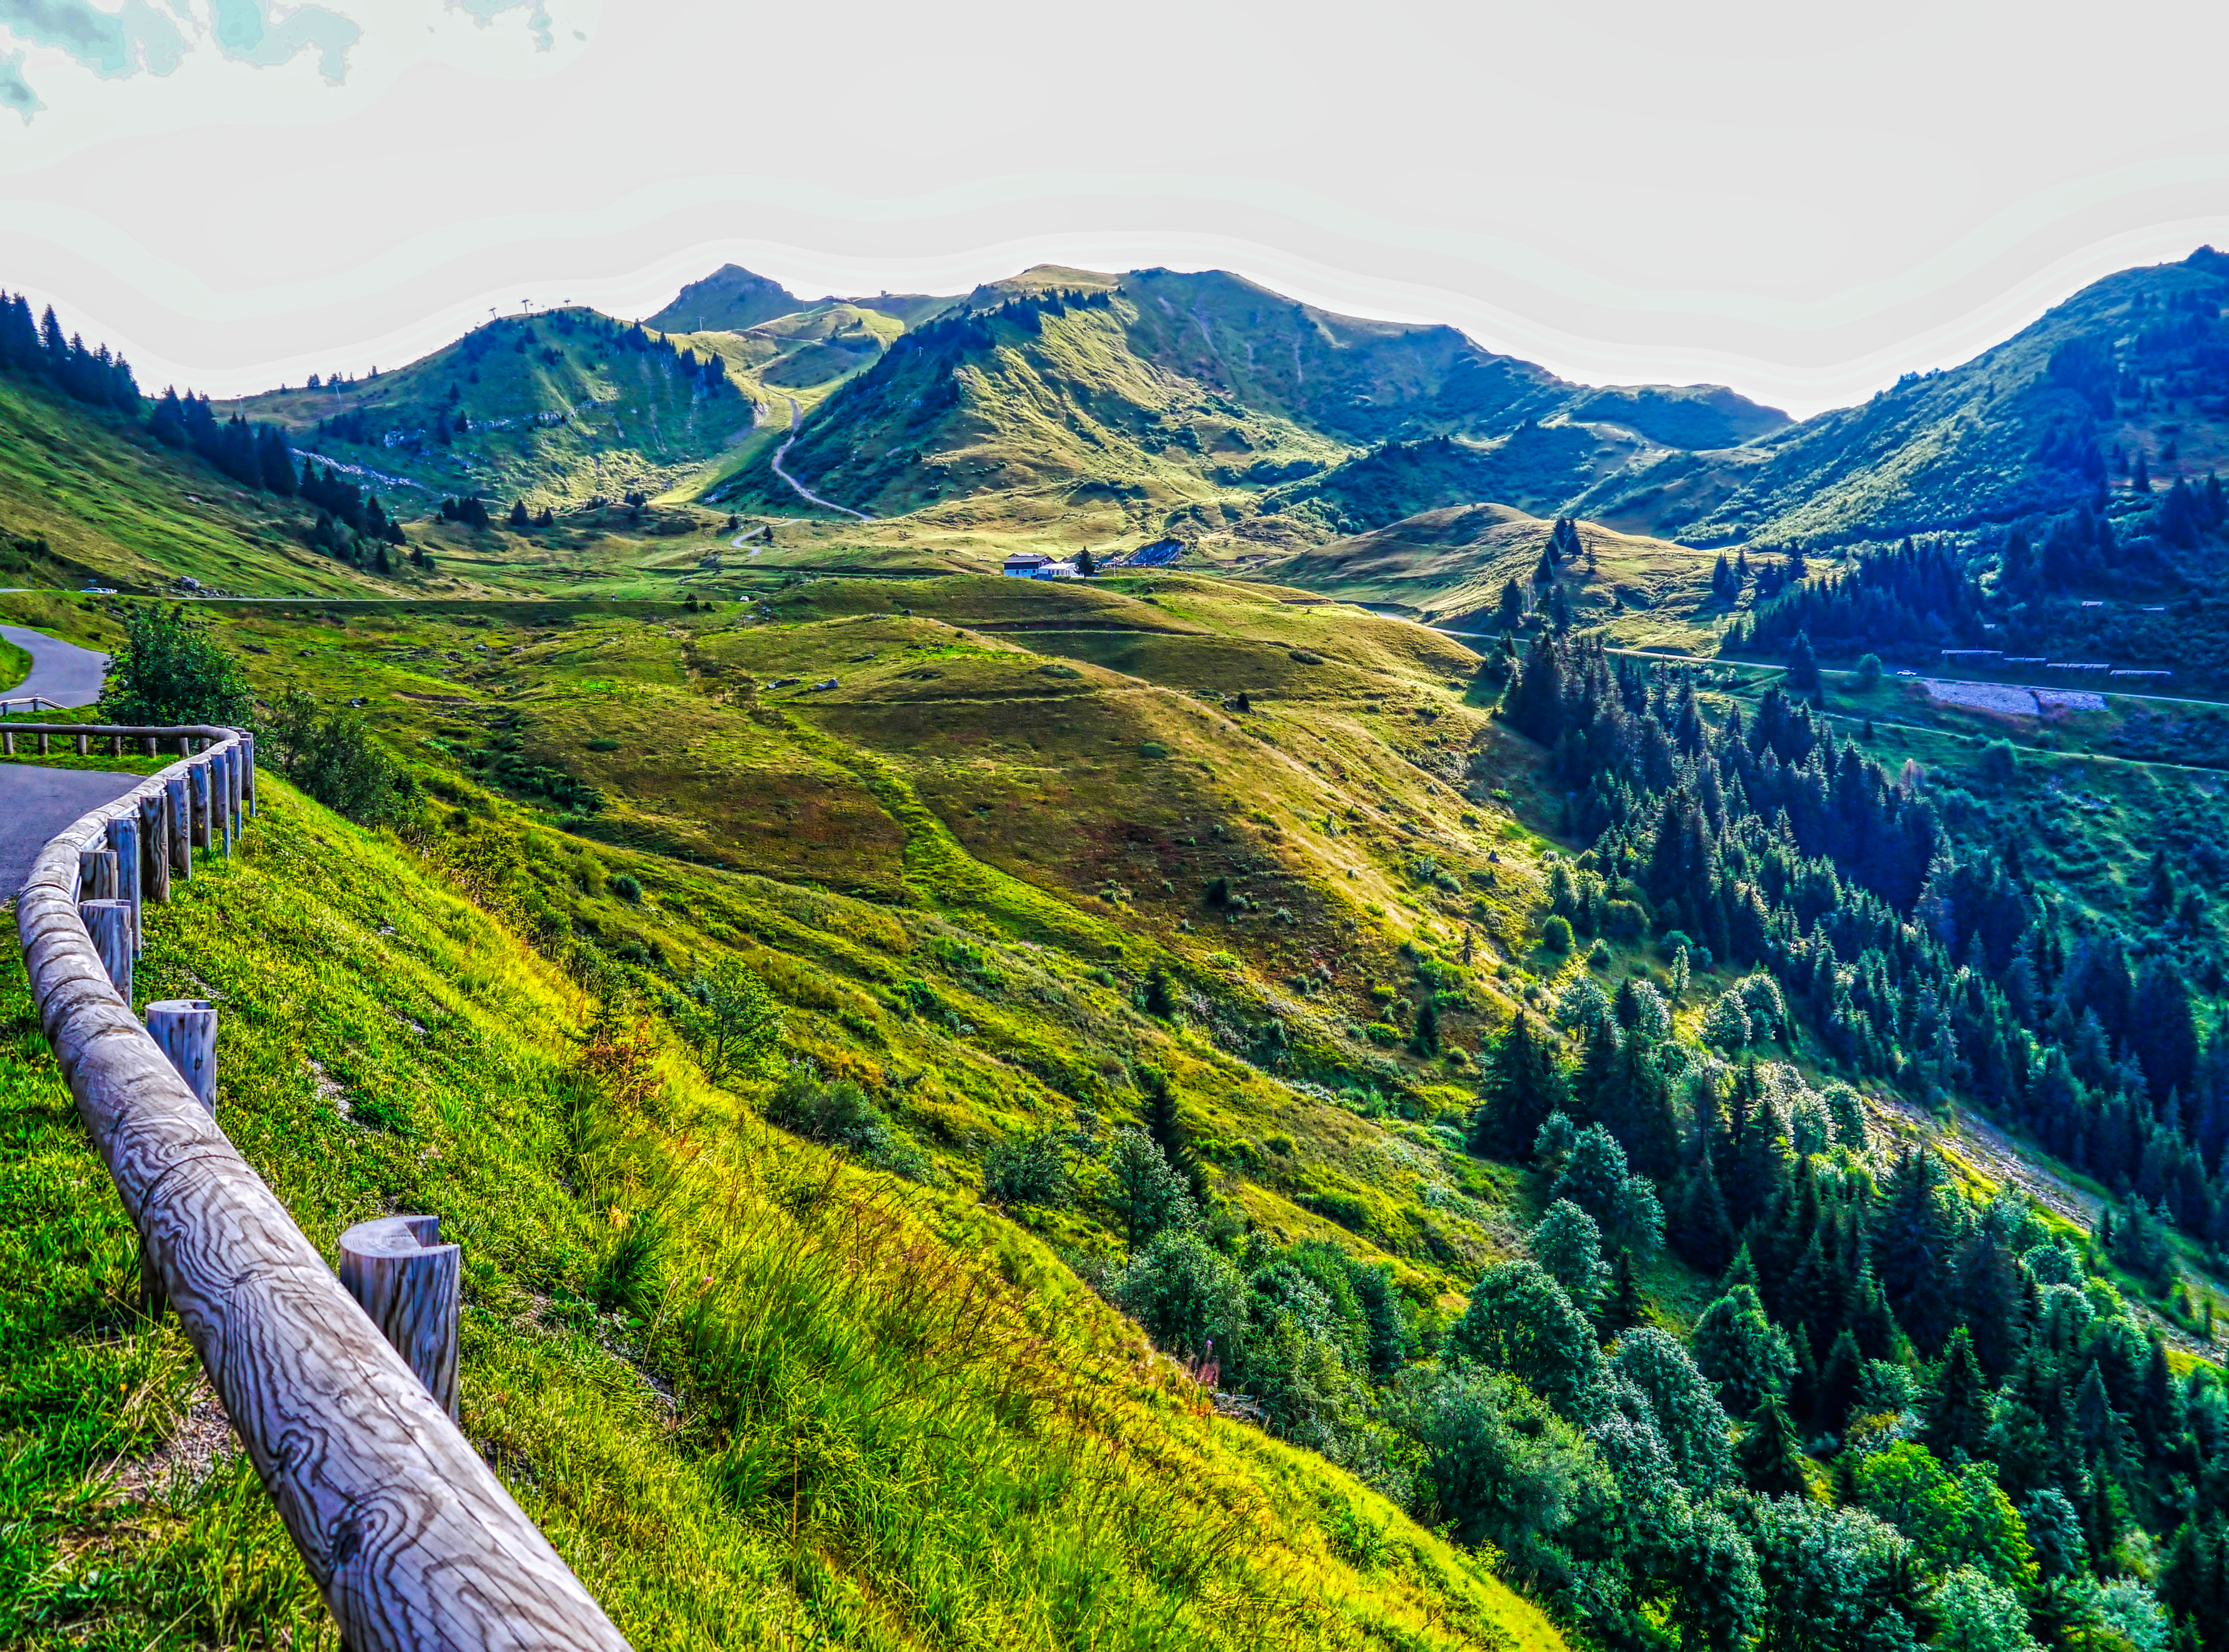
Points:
point(1207, 405)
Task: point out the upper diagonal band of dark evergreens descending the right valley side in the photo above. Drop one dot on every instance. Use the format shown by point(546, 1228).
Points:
point(1923, 962)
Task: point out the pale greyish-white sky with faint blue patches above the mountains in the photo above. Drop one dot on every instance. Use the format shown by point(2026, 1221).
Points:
point(1795, 200)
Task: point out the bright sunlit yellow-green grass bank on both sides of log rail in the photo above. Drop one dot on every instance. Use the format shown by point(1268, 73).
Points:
point(815, 1406)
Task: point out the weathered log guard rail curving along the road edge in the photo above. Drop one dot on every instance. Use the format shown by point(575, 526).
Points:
point(405, 1528)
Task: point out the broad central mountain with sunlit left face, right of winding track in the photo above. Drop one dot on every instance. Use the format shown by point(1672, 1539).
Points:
point(1191, 398)
